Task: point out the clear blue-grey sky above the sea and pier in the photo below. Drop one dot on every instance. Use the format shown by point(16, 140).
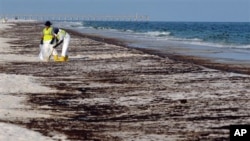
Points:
point(157, 10)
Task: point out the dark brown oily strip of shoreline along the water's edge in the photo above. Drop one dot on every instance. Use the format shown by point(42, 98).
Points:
point(228, 66)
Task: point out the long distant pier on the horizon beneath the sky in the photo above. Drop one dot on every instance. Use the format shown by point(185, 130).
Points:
point(135, 17)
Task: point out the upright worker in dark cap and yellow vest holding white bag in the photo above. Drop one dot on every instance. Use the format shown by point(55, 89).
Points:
point(47, 42)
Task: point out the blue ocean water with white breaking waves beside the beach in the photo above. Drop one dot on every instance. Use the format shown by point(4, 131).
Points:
point(222, 41)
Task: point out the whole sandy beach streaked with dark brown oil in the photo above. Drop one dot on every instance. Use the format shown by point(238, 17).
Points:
point(110, 92)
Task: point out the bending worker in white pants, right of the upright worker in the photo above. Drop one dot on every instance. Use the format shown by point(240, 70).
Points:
point(62, 37)
